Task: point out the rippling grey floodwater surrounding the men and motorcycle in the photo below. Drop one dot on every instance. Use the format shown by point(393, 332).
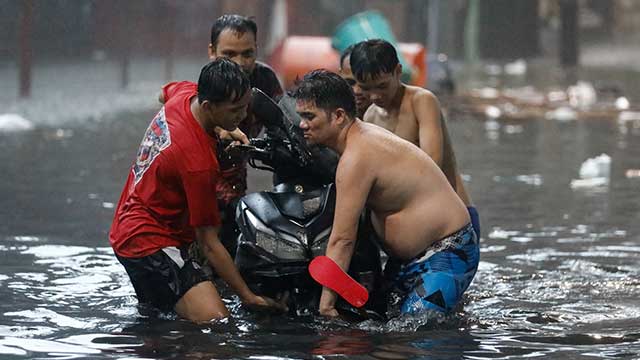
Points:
point(559, 276)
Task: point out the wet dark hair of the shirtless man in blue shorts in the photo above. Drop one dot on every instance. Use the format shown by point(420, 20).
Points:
point(328, 90)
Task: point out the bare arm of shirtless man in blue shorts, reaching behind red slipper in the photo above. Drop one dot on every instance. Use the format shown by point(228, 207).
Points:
point(353, 183)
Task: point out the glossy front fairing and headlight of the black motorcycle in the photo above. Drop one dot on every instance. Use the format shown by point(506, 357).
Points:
point(282, 228)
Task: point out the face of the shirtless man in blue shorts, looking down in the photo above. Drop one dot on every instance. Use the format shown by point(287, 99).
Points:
point(315, 123)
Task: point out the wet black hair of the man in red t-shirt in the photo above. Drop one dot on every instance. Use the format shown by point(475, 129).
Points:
point(222, 80)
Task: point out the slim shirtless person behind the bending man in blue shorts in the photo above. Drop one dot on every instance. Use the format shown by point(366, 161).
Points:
point(411, 112)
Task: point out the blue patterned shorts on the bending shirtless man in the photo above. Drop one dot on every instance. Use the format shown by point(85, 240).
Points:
point(438, 278)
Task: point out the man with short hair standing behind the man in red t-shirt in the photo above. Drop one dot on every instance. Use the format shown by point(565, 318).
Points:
point(234, 37)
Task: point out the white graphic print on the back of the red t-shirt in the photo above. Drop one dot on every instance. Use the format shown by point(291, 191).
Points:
point(156, 139)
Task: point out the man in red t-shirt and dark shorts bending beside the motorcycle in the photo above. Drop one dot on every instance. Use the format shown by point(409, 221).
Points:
point(170, 198)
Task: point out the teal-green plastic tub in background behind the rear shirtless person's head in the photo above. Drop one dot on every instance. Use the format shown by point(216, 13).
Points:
point(365, 26)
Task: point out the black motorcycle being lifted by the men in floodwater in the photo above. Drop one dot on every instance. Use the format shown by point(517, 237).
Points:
point(283, 229)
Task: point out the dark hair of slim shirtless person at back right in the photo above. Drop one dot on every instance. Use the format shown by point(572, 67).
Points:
point(372, 58)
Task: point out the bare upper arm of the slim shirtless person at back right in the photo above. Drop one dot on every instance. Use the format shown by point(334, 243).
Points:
point(427, 110)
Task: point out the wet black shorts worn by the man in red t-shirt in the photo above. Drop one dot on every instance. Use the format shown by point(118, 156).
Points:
point(162, 278)
